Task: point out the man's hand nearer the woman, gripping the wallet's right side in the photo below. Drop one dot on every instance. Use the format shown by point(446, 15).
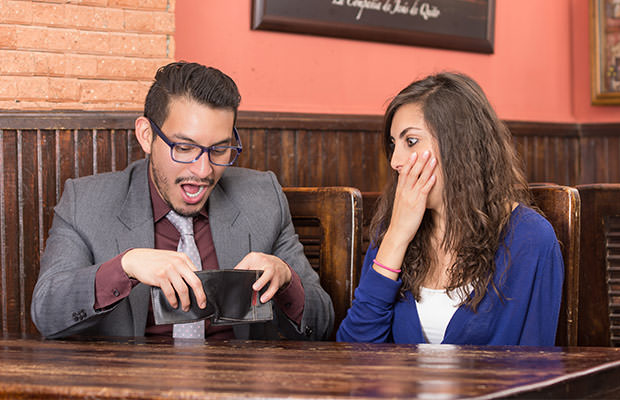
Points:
point(275, 272)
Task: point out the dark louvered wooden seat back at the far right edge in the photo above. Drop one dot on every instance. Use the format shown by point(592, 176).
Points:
point(599, 280)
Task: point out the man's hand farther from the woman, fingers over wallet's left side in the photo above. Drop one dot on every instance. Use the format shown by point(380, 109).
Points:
point(169, 270)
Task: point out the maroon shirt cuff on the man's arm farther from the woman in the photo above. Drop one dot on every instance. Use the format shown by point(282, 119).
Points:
point(112, 283)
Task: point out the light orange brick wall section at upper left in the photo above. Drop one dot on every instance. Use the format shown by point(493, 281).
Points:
point(82, 54)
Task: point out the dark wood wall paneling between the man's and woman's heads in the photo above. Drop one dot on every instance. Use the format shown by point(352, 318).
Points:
point(315, 150)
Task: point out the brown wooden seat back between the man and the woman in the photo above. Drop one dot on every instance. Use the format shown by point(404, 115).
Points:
point(328, 221)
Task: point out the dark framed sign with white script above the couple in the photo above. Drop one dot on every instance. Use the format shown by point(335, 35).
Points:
point(450, 24)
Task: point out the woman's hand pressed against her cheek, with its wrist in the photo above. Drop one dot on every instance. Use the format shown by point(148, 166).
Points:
point(415, 181)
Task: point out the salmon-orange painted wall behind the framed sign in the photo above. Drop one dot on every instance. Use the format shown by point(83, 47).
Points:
point(539, 71)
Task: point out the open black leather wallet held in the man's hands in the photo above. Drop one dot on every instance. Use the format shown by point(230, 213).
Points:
point(230, 300)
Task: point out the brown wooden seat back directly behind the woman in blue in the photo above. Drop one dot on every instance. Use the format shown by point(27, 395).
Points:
point(560, 204)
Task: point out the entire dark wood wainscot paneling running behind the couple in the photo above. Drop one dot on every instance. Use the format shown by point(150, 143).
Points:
point(40, 150)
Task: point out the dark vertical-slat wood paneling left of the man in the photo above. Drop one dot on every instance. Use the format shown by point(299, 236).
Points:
point(34, 165)
